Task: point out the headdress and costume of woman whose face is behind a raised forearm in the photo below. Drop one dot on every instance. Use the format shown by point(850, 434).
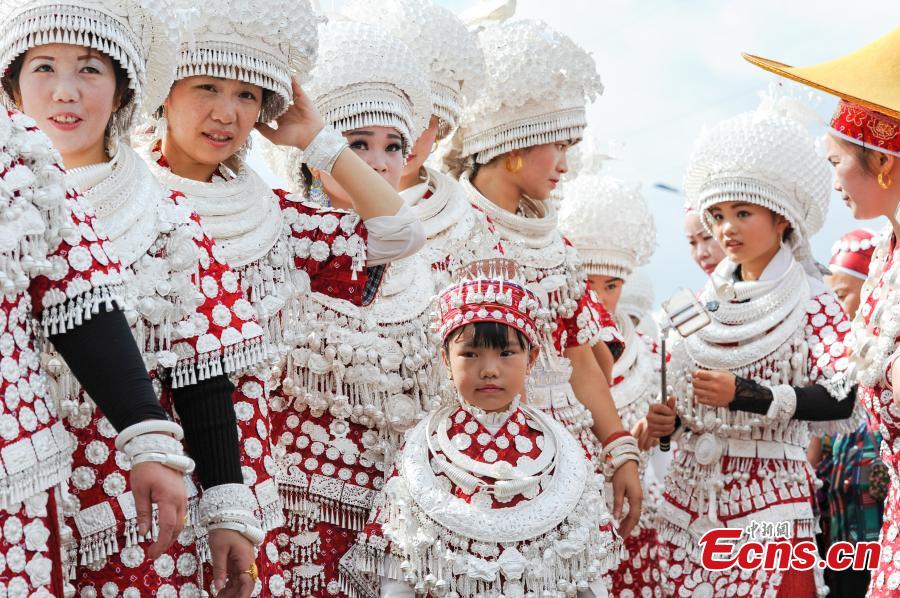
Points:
point(343, 413)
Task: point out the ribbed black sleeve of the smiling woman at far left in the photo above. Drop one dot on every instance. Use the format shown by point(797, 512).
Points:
point(206, 411)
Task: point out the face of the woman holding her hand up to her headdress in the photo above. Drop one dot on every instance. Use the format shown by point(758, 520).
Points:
point(210, 119)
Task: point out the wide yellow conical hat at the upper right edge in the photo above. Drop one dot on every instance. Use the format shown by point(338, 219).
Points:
point(869, 76)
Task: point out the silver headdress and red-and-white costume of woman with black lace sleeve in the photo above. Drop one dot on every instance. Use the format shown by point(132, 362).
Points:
point(785, 330)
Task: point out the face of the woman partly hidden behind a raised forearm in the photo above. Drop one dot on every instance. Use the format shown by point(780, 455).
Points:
point(381, 148)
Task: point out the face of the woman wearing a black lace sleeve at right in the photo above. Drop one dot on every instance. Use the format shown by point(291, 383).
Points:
point(749, 234)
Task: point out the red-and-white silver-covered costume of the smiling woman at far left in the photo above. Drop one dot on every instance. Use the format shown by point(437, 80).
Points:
point(191, 322)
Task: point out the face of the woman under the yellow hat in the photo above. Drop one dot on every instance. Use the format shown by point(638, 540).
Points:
point(857, 185)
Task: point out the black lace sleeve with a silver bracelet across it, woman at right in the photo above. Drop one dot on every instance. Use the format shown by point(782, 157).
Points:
point(814, 403)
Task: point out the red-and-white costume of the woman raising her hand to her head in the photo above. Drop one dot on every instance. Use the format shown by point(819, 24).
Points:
point(295, 247)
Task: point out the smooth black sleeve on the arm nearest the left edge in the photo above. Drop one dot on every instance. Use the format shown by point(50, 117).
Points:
point(105, 360)
